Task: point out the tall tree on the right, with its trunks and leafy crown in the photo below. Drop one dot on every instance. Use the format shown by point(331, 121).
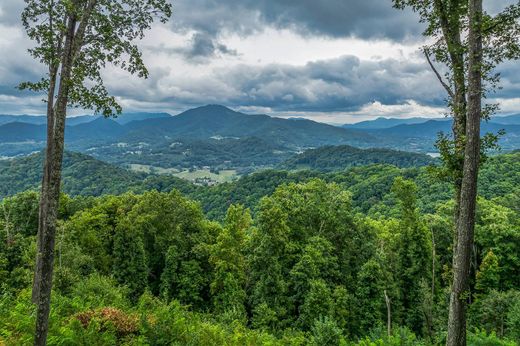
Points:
point(470, 43)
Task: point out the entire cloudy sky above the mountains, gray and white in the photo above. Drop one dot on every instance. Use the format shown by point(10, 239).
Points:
point(336, 61)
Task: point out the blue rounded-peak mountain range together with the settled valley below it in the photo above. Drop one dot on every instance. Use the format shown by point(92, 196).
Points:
point(213, 136)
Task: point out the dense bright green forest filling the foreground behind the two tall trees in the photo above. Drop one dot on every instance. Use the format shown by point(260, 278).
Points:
point(306, 268)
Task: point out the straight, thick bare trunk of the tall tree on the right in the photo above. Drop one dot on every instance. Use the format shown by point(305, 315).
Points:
point(468, 195)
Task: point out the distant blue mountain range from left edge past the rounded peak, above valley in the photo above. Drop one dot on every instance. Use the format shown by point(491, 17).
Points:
point(199, 123)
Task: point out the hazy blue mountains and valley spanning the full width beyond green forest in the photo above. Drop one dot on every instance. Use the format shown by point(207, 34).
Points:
point(217, 138)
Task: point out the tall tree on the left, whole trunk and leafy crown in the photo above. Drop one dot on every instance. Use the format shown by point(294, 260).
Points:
point(75, 40)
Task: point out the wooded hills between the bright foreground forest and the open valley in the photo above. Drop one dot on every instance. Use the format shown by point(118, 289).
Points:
point(369, 185)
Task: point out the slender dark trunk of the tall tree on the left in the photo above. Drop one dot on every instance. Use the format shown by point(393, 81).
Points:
point(49, 200)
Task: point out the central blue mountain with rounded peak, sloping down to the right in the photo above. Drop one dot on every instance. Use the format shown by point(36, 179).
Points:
point(213, 120)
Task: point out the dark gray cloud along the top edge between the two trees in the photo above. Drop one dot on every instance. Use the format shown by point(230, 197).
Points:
point(367, 19)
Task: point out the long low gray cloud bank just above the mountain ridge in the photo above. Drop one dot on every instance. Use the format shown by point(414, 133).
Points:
point(342, 84)
